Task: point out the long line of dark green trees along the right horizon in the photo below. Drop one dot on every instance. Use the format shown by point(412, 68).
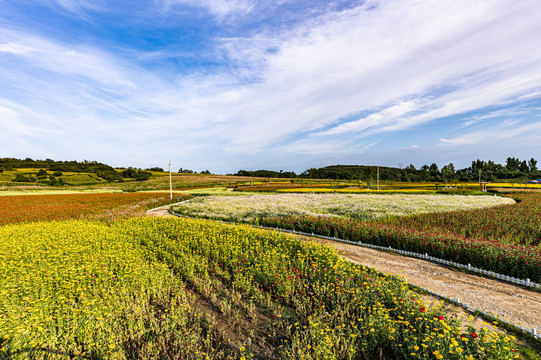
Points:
point(514, 169)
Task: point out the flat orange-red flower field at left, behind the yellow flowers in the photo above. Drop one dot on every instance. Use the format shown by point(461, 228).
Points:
point(30, 208)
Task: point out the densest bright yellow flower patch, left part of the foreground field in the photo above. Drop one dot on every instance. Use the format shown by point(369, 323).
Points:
point(81, 289)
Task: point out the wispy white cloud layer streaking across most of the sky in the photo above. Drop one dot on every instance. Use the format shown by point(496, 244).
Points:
point(336, 82)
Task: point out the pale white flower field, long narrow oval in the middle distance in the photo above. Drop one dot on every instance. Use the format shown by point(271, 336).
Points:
point(359, 207)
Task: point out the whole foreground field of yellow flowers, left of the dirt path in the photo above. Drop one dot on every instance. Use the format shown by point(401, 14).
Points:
point(151, 288)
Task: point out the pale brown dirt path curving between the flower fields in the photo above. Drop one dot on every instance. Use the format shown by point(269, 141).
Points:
point(509, 302)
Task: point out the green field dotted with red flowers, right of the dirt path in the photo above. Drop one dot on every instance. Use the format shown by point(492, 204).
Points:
point(498, 256)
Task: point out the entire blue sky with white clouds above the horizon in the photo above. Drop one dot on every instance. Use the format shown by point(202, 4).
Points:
point(277, 84)
